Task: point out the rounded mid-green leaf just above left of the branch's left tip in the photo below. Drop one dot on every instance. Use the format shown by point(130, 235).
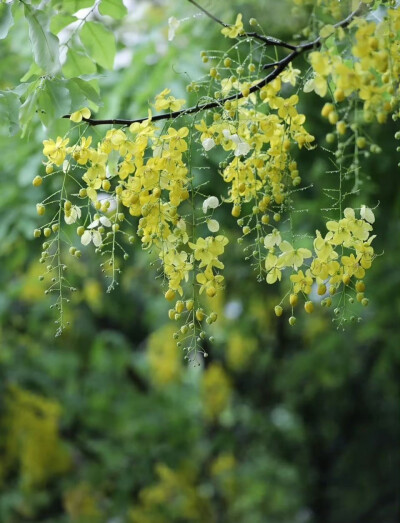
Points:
point(54, 100)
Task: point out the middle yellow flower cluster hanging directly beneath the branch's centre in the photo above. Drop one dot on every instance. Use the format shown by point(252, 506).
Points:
point(260, 143)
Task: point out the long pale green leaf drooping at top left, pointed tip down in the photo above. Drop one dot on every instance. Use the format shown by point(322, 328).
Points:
point(44, 44)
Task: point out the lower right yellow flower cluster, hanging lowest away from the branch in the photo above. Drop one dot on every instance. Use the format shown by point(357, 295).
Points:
point(339, 262)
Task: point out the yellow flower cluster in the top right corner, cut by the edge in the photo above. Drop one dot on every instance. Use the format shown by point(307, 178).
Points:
point(371, 72)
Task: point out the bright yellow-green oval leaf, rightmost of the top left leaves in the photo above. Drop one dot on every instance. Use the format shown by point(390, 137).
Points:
point(99, 43)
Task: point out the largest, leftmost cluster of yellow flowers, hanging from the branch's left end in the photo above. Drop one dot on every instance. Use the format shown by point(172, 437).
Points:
point(141, 170)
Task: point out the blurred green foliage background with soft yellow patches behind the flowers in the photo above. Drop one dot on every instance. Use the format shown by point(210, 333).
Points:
point(108, 423)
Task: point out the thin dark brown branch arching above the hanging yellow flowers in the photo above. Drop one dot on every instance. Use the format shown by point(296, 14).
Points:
point(280, 66)
